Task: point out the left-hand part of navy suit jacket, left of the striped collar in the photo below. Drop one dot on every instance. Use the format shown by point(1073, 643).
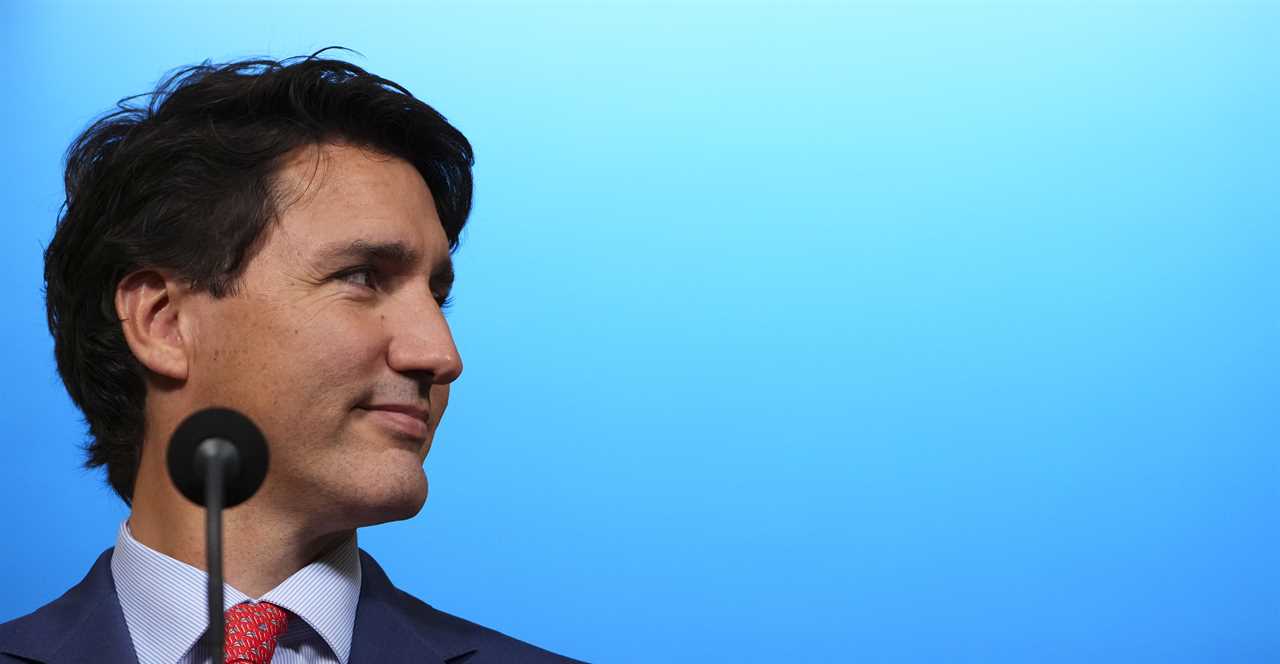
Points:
point(84, 626)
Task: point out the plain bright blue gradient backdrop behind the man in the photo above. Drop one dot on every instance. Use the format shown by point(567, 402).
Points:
point(808, 333)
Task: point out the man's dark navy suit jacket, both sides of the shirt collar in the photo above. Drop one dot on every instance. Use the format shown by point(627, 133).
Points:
point(88, 626)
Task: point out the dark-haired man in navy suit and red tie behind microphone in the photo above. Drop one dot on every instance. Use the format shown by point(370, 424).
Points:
point(275, 239)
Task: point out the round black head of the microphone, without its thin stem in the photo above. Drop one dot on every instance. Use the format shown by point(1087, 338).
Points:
point(243, 478)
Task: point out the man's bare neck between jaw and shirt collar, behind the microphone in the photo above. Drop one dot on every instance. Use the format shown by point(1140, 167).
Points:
point(262, 547)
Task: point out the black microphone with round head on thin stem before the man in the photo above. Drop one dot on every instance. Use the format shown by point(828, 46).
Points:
point(217, 460)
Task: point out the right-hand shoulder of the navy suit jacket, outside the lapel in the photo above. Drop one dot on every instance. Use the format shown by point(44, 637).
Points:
point(456, 639)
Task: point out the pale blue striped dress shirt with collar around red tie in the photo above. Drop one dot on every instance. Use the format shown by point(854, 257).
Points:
point(166, 610)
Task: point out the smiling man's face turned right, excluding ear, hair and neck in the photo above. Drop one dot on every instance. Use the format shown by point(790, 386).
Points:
point(336, 344)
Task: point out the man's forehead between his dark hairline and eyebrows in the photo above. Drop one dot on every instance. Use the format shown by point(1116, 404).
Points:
point(344, 194)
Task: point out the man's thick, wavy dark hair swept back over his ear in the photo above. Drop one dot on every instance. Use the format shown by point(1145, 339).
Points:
point(184, 178)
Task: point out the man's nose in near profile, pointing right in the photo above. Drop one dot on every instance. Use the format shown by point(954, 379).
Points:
point(423, 344)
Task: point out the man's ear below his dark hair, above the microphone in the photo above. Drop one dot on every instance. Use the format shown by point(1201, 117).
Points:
point(148, 304)
